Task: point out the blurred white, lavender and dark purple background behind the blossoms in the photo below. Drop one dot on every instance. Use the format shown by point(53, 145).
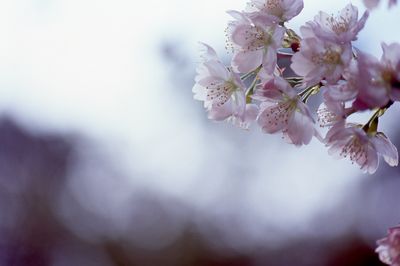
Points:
point(105, 158)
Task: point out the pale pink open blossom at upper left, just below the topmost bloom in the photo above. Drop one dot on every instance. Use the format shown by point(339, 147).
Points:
point(255, 42)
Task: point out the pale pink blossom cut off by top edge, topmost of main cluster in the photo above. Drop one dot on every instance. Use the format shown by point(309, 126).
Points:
point(278, 10)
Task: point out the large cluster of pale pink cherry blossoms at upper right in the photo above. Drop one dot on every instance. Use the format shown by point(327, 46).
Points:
point(258, 87)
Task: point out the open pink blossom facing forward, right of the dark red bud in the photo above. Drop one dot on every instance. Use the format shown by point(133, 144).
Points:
point(318, 60)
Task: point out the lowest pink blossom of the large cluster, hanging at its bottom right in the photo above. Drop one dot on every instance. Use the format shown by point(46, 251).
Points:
point(349, 140)
